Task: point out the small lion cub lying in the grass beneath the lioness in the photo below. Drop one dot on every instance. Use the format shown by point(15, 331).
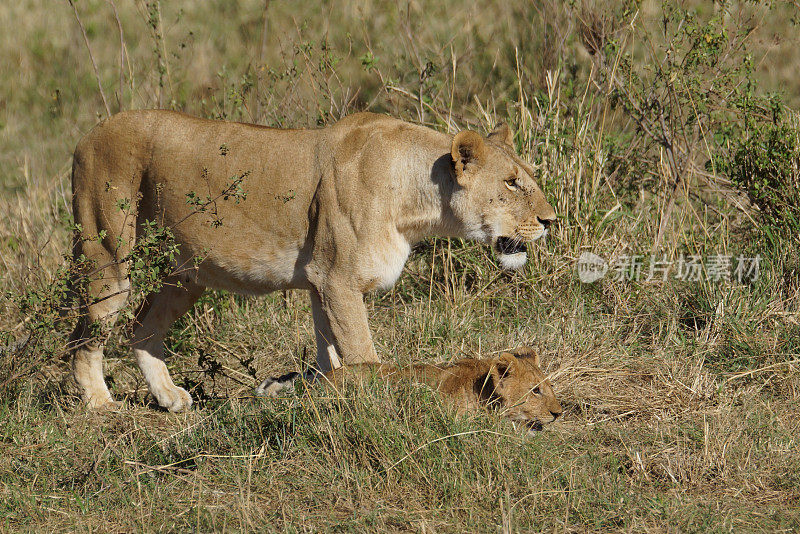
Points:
point(511, 383)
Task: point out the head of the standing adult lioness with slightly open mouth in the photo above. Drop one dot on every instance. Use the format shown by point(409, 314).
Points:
point(496, 197)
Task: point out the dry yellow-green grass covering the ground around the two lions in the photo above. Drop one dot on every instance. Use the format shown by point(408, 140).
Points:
point(682, 399)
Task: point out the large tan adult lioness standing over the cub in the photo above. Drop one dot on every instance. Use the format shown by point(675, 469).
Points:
point(332, 210)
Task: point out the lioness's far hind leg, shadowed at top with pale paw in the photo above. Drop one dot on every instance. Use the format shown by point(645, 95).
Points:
point(157, 315)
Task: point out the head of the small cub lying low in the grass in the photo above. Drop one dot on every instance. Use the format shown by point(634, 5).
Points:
point(517, 387)
